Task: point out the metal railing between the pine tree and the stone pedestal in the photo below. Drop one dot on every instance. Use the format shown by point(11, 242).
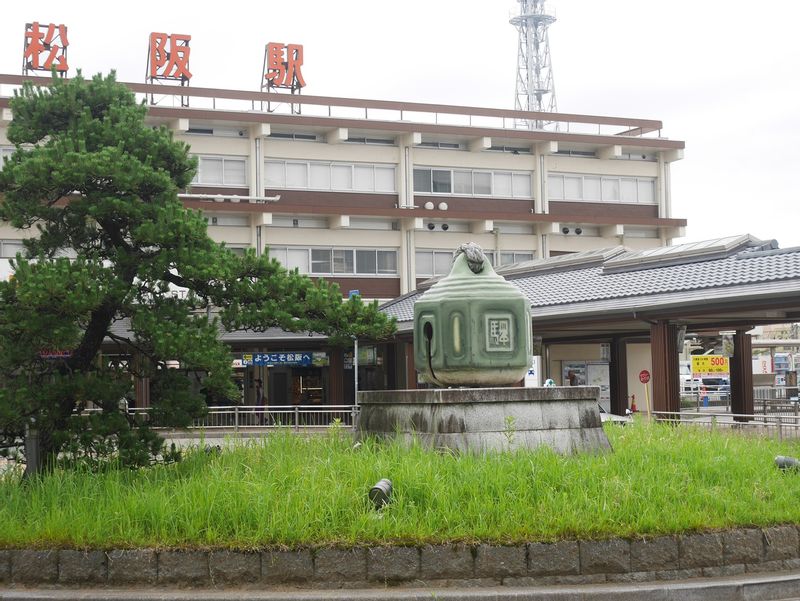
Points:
point(250, 417)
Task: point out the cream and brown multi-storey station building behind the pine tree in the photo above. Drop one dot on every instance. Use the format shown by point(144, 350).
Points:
point(376, 195)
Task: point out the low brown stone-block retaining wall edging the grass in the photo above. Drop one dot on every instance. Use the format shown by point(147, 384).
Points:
point(567, 562)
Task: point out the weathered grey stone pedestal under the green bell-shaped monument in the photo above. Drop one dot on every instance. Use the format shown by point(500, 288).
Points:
point(566, 419)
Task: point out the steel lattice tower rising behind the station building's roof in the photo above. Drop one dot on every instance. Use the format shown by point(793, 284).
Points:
point(535, 87)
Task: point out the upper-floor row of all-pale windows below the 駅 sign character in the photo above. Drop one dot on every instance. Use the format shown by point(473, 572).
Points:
point(347, 177)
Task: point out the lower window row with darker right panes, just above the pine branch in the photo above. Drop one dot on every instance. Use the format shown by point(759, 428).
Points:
point(337, 261)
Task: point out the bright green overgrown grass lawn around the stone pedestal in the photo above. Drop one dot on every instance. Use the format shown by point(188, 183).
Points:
point(291, 491)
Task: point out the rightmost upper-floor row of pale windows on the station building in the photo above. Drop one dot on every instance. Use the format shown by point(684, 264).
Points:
point(602, 188)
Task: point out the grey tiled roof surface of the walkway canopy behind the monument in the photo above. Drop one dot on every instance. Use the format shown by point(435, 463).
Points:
point(745, 265)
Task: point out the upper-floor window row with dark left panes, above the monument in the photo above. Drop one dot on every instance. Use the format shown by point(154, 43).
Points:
point(467, 182)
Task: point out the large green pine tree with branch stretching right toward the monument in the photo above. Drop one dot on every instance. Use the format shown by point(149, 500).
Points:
point(95, 189)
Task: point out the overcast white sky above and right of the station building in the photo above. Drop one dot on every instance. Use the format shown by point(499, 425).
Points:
point(722, 75)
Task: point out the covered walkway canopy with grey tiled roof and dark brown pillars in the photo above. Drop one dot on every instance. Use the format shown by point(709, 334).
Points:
point(615, 295)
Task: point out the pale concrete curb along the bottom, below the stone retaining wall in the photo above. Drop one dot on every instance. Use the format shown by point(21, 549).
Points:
point(764, 587)
